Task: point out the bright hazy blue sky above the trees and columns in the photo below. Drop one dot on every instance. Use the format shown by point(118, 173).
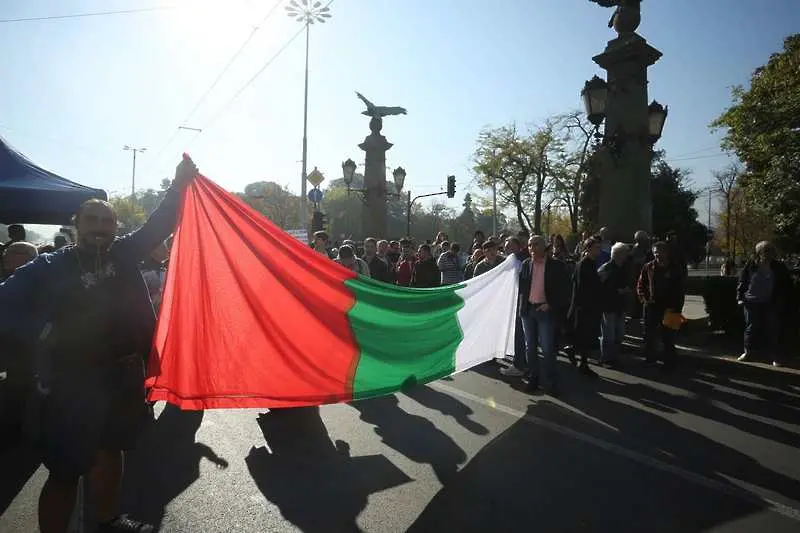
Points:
point(76, 90)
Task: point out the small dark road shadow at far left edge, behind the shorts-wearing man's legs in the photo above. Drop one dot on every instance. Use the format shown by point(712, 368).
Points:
point(18, 462)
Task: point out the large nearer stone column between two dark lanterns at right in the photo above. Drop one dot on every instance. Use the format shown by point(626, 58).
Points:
point(625, 197)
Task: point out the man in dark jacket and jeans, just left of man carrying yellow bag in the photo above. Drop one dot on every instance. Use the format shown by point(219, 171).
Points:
point(615, 289)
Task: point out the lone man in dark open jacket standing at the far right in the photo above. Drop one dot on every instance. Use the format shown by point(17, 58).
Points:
point(765, 292)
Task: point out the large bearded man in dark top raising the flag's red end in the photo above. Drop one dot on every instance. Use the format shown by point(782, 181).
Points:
point(90, 308)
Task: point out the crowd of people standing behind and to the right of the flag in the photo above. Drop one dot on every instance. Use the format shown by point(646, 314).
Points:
point(578, 302)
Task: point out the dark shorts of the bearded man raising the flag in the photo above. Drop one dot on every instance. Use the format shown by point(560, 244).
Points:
point(88, 410)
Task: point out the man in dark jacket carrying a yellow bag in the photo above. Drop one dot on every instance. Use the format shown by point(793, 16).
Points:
point(660, 289)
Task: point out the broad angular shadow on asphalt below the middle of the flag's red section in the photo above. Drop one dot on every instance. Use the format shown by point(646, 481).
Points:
point(315, 483)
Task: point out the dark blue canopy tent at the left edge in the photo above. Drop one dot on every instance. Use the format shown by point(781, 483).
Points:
point(31, 195)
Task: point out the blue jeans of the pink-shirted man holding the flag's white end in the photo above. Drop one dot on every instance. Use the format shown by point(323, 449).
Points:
point(539, 328)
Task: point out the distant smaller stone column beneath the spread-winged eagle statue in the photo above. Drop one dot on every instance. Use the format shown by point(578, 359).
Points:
point(375, 146)
